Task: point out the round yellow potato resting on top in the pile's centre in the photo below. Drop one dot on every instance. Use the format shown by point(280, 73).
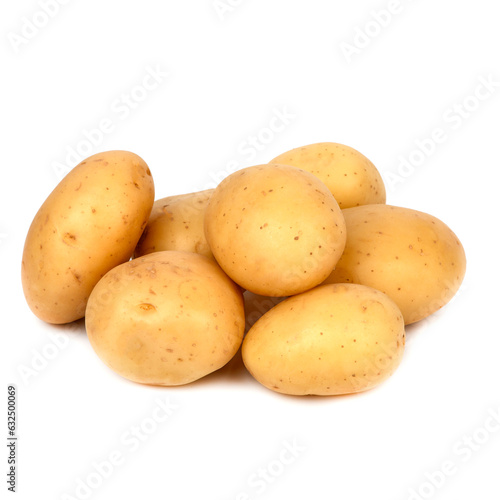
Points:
point(275, 230)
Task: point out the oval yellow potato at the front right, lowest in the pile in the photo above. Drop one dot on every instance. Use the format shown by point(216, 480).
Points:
point(333, 339)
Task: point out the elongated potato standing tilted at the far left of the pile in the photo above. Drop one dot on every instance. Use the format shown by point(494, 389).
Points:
point(89, 224)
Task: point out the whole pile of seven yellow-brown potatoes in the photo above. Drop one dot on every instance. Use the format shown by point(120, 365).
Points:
point(299, 262)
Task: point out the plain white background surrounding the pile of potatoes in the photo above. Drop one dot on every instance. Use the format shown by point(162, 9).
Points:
point(229, 72)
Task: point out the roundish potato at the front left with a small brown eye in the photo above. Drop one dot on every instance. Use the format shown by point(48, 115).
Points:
point(167, 318)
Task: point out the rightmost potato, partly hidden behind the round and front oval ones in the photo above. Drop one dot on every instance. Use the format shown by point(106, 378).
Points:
point(411, 256)
